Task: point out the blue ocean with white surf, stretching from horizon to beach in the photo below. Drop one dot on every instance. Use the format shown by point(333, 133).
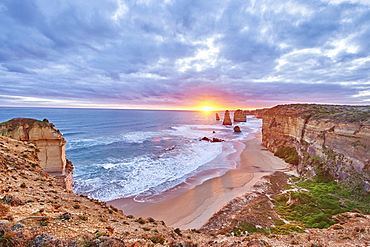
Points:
point(141, 153)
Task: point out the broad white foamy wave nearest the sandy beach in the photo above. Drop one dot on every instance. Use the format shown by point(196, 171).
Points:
point(148, 175)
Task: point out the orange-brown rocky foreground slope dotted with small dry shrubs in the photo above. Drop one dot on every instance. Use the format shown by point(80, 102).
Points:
point(35, 211)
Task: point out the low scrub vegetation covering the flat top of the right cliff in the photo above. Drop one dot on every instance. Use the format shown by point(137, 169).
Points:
point(336, 113)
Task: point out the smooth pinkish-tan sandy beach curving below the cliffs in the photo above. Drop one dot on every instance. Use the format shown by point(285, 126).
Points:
point(192, 209)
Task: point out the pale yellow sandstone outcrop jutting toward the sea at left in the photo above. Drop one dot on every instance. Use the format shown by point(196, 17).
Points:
point(50, 143)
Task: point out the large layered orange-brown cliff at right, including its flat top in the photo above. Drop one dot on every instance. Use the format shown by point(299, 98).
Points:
point(331, 140)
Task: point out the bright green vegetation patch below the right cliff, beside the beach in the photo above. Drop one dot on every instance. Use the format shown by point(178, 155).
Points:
point(313, 204)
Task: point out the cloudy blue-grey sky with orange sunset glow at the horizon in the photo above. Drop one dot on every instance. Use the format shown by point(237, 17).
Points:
point(184, 54)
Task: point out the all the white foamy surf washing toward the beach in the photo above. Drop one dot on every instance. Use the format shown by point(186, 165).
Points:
point(143, 177)
